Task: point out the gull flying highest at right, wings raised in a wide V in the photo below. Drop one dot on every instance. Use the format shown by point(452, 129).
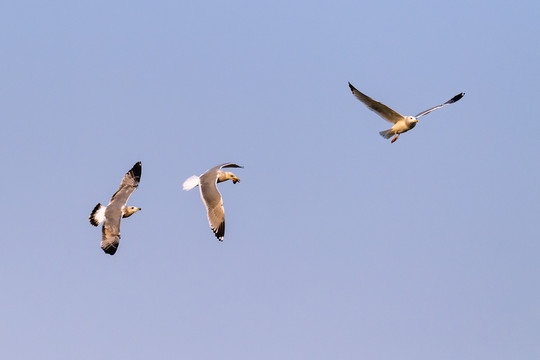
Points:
point(401, 123)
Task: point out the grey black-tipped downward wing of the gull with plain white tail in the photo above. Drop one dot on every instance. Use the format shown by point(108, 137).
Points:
point(213, 201)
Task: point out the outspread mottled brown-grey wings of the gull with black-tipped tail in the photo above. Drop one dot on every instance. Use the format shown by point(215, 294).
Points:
point(110, 233)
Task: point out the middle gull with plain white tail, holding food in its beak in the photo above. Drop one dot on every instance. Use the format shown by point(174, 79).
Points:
point(210, 195)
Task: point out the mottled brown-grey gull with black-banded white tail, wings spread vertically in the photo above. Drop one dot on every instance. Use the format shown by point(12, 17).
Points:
point(111, 214)
